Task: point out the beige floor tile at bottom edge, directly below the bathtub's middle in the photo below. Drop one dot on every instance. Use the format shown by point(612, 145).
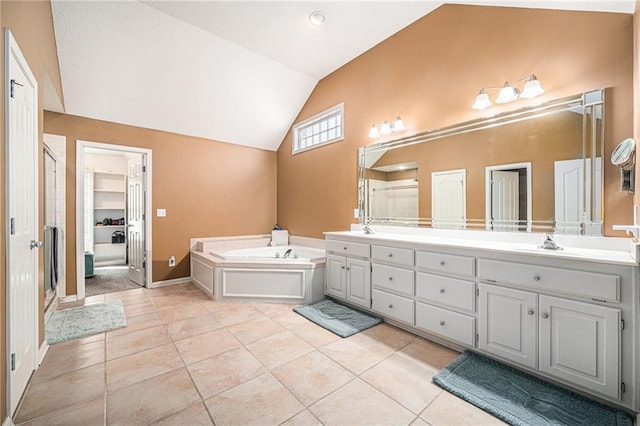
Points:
point(262, 400)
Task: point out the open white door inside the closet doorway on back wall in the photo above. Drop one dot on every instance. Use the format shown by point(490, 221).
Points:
point(135, 220)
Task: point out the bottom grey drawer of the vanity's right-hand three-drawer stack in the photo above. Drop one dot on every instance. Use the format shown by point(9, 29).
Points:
point(451, 325)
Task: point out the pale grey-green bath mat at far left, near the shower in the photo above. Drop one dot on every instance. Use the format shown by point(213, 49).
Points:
point(83, 321)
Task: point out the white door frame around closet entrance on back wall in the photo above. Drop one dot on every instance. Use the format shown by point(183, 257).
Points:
point(80, 148)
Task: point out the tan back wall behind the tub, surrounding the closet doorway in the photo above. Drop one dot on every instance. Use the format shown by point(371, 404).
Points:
point(208, 188)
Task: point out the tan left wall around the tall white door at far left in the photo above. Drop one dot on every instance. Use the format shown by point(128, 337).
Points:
point(31, 24)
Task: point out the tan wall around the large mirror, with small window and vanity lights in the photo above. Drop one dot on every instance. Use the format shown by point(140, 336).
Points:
point(430, 72)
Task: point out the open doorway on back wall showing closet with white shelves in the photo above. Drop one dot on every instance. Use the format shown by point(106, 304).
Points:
point(113, 237)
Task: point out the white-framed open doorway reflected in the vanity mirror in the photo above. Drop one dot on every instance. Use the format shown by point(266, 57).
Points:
point(508, 197)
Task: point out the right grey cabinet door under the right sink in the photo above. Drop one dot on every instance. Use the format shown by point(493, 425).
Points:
point(580, 343)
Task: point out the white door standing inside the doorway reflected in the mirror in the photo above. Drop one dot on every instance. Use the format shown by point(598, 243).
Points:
point(505, 200)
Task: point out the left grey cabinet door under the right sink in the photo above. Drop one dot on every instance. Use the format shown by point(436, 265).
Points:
point(508, 323)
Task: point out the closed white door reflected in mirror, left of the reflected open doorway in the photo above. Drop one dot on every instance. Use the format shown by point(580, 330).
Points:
point(448, 199)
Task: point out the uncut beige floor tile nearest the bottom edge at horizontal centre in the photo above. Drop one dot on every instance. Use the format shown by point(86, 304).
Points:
point(312, 376)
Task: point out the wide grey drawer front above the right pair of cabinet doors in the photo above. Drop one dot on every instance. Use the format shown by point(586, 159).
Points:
point(579, 283)
